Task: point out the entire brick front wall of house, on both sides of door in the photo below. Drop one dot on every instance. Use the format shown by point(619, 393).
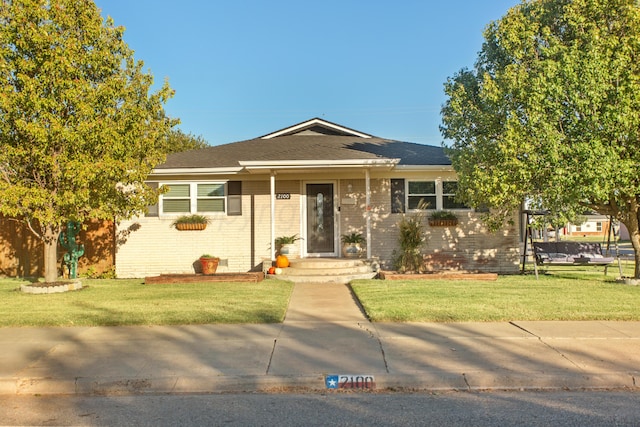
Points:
point(150, 246)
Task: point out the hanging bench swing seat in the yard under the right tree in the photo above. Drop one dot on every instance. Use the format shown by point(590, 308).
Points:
point(570, 253)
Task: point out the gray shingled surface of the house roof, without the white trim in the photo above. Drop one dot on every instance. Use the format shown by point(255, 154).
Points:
point(315, 145)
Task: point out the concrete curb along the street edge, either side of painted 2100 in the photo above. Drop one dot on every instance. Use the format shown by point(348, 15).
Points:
point(472, 381)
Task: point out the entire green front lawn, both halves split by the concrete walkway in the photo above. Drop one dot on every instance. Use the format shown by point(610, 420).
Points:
point(558, 295)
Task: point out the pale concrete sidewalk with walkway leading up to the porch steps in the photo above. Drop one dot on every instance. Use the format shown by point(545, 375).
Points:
point(324, 333)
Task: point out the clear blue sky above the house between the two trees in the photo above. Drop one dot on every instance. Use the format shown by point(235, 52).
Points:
point(245, 68)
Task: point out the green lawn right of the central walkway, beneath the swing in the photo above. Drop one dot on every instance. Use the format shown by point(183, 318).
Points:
point(558, 296)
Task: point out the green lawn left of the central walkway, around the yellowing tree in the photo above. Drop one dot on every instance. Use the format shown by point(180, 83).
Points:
point(130, 302)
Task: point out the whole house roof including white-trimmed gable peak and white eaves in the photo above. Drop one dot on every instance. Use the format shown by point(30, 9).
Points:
point(315, 143)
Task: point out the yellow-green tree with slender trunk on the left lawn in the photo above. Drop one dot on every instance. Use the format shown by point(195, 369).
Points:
point(80, 128)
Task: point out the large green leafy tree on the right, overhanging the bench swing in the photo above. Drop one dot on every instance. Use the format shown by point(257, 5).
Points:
point(551, 112)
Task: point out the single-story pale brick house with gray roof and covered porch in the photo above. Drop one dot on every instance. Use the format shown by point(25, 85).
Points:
point(318, 180)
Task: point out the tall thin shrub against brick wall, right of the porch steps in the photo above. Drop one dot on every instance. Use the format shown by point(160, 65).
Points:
point(411, 239)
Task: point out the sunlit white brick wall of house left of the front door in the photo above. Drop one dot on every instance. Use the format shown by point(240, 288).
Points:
point(149, 246)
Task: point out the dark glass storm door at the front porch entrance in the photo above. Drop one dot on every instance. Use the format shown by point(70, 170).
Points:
point(320, 220)
